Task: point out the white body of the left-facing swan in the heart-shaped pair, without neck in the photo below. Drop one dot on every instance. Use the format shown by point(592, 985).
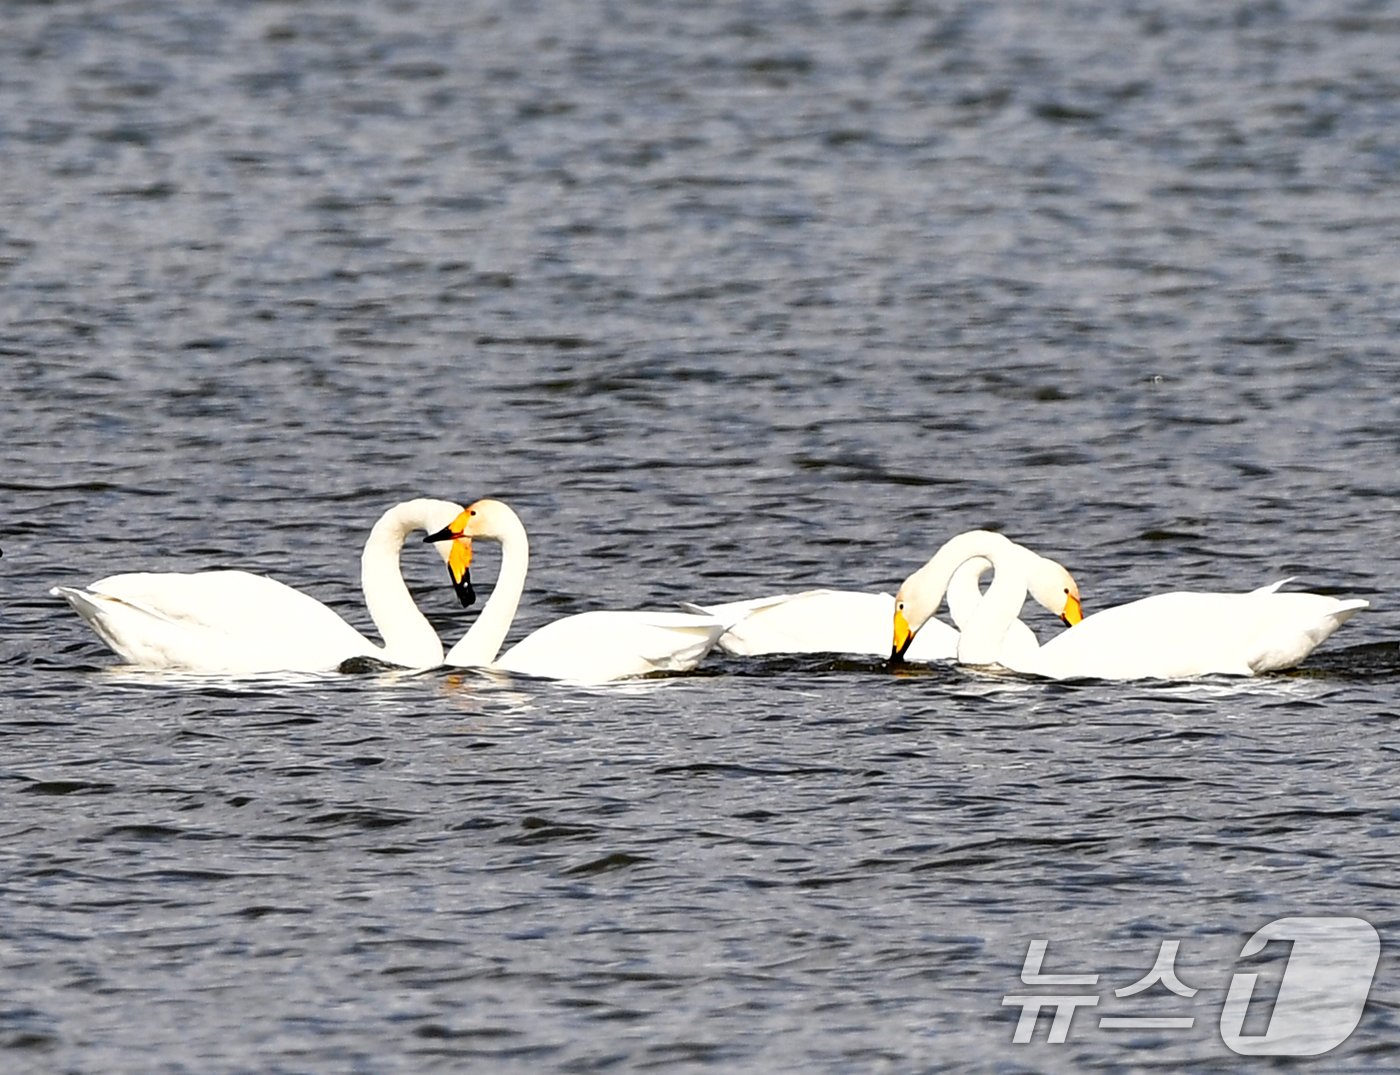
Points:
point(597, 647)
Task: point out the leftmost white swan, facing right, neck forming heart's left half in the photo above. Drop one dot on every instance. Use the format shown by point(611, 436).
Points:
point(239, 624)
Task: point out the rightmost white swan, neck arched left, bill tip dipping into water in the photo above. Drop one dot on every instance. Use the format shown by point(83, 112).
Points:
point(1168, 636)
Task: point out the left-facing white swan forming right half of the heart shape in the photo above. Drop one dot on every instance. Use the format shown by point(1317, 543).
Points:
point(591, 647)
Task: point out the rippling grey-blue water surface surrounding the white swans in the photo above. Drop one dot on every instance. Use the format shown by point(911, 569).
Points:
point(724, 299)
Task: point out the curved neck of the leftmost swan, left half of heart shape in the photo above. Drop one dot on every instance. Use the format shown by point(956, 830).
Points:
point(408, 638)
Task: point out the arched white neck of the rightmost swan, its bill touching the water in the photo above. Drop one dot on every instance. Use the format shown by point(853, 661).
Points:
point(983, 628)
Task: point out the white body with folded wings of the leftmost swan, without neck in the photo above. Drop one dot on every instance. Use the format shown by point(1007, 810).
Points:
point(215, 622)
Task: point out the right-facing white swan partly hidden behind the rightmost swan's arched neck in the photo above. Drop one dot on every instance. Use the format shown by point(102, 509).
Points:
point(855, 622)
